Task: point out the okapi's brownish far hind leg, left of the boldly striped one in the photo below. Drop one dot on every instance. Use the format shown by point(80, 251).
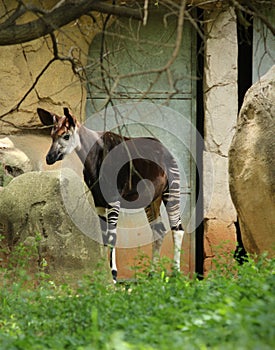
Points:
point(153, 215)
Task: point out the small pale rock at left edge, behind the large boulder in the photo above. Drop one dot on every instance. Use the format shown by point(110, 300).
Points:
point(13, 161)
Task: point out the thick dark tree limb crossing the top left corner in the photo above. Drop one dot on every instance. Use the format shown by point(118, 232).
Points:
point(63, 13)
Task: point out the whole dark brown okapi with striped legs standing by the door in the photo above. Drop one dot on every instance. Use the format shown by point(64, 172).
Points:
point(147, 176)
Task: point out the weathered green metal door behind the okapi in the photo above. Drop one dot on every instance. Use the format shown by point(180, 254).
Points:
point(133, 68)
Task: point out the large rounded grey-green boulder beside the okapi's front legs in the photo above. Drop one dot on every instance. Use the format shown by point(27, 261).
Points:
point(53, 211)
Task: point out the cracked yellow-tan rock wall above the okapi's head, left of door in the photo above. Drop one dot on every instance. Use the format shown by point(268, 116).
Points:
point(58, 86)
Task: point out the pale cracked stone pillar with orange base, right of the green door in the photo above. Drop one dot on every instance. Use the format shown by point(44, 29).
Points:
point(220, 103)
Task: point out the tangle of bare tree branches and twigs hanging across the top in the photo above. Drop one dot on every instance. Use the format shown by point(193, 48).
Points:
point(47, 21)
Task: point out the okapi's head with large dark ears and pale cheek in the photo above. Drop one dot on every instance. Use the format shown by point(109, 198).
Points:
point(65, 136)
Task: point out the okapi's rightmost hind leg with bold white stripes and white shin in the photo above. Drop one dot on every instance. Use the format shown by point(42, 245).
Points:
point(171, 200)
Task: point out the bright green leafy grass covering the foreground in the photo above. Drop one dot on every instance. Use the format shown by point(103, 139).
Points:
point(234, 308)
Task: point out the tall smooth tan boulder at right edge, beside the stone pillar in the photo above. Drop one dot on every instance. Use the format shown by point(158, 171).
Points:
point(252, 167)
